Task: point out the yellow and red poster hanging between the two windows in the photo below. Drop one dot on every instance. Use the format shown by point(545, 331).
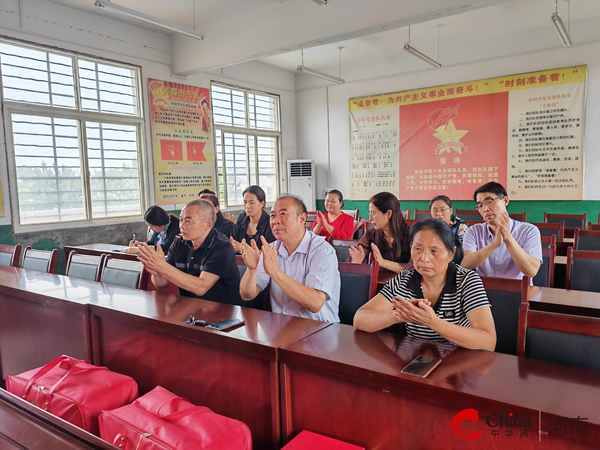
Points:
point(182, 143)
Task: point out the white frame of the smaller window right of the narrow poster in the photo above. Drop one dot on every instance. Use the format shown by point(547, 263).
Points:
point(248, 132)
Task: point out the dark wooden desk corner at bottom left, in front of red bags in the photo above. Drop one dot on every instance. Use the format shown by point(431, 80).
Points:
point(24, 426)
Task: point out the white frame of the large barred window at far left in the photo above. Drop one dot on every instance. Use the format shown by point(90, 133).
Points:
point(81, 116)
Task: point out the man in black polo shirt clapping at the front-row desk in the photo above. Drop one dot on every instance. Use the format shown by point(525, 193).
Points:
point(201, 262)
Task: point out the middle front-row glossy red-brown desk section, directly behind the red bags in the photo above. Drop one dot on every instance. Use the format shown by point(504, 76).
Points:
point(234, 373)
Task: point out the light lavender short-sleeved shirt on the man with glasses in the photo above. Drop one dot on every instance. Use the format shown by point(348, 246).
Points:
point(500, 262)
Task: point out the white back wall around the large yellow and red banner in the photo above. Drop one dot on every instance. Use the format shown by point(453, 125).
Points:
point(322, 112)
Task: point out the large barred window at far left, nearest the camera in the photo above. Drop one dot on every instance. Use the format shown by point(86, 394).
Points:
point(73, 128)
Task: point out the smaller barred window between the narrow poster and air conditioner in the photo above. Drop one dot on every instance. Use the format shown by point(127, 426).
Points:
point(247, 142)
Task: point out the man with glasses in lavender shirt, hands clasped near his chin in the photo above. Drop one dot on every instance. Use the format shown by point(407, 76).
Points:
point(501, 246)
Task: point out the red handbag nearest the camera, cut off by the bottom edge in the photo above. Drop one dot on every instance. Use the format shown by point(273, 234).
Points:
point(160, 420)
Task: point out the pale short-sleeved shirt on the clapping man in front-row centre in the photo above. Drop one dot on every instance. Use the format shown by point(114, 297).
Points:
point(314, 264)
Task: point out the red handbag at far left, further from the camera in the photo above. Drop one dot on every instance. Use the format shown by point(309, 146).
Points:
point(74, 390)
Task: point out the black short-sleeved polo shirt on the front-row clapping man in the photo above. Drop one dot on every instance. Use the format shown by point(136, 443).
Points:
point(216, 256)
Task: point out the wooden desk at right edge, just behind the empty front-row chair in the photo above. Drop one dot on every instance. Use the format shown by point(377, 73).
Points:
point(565, 301)
